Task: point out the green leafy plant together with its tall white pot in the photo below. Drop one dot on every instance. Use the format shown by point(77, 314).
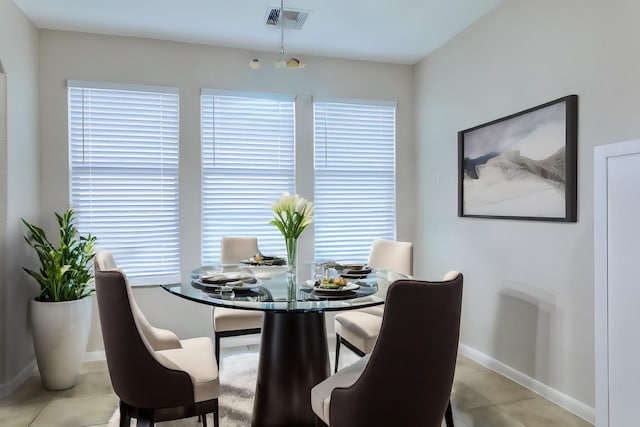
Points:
point(61, 312)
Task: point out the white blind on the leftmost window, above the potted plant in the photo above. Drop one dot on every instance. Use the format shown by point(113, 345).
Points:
point(124, 174)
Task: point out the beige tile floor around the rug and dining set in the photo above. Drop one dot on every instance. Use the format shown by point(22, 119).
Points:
point(481, 398)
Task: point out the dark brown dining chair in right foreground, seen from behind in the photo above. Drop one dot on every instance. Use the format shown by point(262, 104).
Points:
point(406, 380)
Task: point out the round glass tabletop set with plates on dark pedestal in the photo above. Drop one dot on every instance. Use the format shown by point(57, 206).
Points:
point(273, 293)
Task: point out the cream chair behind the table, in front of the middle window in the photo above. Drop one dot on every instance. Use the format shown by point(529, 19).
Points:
point(229, 322)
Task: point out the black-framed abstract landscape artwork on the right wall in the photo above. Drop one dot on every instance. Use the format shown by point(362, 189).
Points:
point(523, 166)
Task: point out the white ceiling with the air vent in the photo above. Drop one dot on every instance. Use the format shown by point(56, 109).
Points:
point(394, 31)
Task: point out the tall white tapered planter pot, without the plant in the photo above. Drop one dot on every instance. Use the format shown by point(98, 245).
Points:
point(60, 336)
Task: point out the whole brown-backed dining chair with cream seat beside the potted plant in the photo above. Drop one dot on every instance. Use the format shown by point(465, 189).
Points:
point(153, 385)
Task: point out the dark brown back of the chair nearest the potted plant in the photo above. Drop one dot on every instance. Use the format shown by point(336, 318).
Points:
point(137, 376)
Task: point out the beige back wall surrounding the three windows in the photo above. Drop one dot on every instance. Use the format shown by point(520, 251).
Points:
point(191, 67)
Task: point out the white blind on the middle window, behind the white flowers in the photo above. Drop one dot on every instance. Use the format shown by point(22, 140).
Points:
point(247, 163)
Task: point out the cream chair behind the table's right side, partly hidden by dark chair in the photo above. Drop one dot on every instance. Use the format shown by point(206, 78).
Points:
point(358, 329)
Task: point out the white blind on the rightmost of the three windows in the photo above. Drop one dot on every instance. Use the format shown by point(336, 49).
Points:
point(354, 195)
